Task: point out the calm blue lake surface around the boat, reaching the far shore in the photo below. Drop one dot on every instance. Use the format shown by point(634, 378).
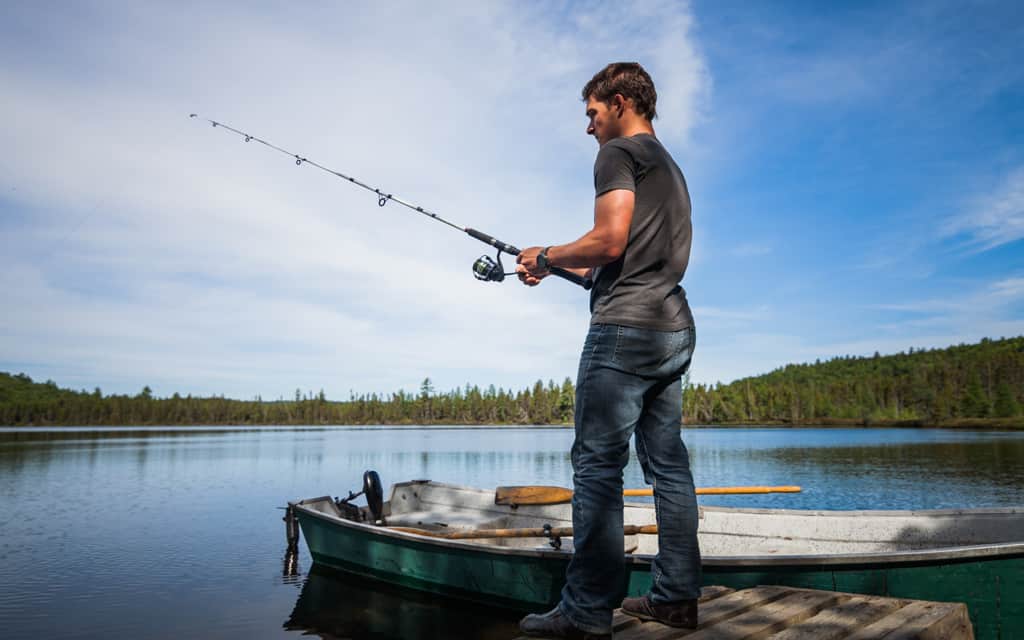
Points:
point(172, 533)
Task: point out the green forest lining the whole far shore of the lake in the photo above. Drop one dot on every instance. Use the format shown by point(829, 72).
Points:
point(964, 386)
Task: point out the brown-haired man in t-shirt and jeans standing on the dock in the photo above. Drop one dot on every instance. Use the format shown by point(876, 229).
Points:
point(639, 346)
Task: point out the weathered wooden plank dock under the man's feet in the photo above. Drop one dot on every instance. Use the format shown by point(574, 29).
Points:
point(788, 614)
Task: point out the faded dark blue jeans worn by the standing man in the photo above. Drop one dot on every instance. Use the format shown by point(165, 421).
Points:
point(629, 382)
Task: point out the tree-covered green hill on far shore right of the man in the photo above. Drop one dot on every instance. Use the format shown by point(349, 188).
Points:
point(965, 386)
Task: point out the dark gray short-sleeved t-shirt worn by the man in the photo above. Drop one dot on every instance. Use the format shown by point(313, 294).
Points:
point(642, 288)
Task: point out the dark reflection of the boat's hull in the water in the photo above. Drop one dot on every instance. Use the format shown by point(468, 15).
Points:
point(342, 606)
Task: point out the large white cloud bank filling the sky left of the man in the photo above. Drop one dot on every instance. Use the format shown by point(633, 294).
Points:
point(146, 248)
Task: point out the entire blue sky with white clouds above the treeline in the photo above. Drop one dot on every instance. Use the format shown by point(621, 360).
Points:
point(858, 176)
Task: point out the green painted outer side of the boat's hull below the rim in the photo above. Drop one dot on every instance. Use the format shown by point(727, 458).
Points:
point(992, 584)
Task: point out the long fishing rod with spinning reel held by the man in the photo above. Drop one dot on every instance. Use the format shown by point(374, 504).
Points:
point(485, 269)
